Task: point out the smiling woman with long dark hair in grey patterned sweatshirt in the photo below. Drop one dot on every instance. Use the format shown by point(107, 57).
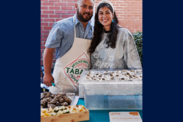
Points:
point(112, 46)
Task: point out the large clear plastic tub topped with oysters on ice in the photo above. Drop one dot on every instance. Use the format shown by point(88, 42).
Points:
point(112, 89)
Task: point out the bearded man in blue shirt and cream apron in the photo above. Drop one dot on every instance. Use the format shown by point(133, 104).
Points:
point(70, 38)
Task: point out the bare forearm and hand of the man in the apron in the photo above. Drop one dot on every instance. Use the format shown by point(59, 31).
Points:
point(47, 62)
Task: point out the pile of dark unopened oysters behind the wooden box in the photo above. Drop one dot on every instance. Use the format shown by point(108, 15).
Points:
point(49, 99)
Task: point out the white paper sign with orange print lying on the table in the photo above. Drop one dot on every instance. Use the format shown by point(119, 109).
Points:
point(125, 117)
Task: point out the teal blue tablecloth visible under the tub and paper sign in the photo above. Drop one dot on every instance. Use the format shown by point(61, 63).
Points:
point(101, 115)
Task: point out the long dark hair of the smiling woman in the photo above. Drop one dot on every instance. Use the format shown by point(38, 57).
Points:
point(98, 30)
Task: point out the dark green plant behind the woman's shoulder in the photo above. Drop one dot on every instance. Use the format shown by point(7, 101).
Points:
point(138, 41)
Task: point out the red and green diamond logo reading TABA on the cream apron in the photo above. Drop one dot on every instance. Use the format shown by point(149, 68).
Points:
point(74, 69)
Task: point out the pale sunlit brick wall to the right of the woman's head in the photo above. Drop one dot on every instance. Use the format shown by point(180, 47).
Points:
point(129, 13)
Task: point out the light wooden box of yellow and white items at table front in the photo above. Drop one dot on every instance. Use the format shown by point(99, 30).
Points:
point(65, 114)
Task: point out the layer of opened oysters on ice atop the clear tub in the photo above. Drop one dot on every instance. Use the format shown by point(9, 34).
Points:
point(118, 75)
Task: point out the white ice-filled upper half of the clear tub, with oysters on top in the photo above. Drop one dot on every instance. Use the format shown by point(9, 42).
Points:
point(115, 82)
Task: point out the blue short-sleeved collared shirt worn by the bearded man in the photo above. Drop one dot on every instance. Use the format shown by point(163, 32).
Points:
point(61, 35)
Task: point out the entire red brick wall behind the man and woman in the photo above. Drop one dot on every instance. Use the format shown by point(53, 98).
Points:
point(129, 13)
